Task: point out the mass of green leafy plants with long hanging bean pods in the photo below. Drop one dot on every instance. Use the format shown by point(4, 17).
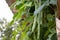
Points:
point(34, 20)
